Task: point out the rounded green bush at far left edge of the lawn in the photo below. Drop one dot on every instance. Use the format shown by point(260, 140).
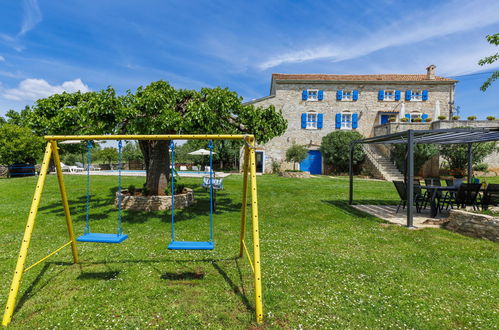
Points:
point(19, 145)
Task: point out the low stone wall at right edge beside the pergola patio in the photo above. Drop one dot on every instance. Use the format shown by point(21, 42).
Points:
point(474, 225)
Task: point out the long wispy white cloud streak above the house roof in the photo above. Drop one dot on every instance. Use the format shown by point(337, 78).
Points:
point(421, 26)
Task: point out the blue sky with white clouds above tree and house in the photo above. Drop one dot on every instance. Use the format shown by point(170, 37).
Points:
point(52, 46)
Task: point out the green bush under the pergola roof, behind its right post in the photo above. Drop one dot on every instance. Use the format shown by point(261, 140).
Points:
point(457, 154)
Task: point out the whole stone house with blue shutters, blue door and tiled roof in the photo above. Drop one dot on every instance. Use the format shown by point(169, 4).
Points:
point(317, 104)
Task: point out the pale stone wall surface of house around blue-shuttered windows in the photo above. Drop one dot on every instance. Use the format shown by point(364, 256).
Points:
point(288, 98)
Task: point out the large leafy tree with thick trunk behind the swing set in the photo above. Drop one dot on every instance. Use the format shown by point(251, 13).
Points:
point(155, 109)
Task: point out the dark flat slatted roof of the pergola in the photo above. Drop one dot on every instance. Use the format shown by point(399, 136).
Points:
point(438, 136)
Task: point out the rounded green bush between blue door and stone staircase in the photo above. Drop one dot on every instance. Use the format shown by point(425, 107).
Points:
point(335, 148)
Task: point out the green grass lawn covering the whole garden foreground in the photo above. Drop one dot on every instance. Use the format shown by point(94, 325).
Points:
point(324, 264)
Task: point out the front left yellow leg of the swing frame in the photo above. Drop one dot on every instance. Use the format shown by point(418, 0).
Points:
point(18, 273)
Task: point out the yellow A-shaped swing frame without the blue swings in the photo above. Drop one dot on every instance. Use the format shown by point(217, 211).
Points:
point(51, 150)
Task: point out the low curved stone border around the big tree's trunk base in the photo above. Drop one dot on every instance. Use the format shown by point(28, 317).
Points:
point(155, 203)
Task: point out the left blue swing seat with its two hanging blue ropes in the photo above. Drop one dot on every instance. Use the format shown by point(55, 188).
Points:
point(88, 236)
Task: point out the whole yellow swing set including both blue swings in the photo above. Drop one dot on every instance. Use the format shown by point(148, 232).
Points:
point(51, 150)
